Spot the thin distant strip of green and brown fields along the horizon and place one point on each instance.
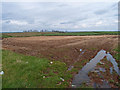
(29, 34)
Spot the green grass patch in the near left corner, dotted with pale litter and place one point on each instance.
(22, 71)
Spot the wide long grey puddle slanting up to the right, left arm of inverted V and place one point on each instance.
(82, 76)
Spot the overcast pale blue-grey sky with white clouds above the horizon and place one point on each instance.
(72, 16)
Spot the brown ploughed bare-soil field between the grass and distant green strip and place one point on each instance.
(63, 48)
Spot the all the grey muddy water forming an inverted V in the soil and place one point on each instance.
(82, 76)
